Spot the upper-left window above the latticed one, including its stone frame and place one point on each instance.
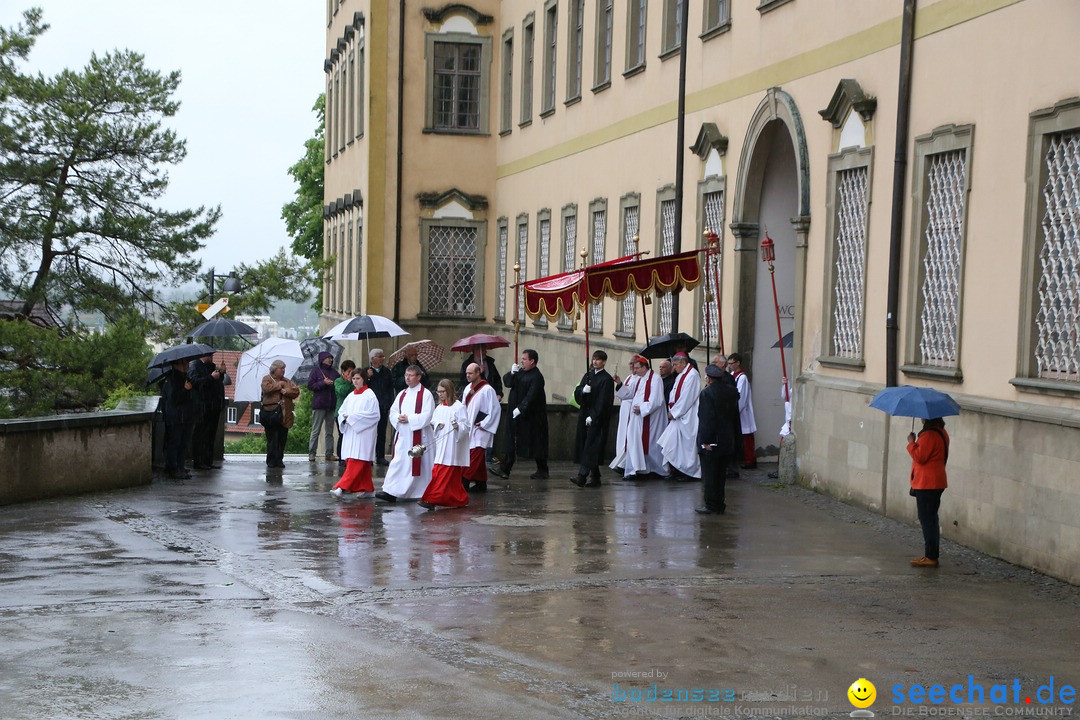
(457, 93)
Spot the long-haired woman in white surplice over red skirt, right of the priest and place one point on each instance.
(450, 450)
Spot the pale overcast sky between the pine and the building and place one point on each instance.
(250, 75)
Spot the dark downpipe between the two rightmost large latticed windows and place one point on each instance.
(899, 173)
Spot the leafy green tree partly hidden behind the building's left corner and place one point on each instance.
(304, 214)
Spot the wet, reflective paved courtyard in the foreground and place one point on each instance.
(248, 593)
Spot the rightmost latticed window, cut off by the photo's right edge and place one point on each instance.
(1058, 304)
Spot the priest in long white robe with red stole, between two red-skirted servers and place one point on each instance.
(411, 417)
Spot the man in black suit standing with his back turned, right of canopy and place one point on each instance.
(718, 419)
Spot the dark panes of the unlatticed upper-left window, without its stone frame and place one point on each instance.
(457, 93)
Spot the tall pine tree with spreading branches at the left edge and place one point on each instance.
(84, 160)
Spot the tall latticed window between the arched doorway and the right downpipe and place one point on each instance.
(849, 189)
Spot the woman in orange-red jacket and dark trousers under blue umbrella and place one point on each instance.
(929, 453)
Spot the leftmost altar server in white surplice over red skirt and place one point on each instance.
(358, 420)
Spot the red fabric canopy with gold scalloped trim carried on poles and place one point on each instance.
(565, 292)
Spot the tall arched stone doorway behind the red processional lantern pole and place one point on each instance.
(772, 197)
